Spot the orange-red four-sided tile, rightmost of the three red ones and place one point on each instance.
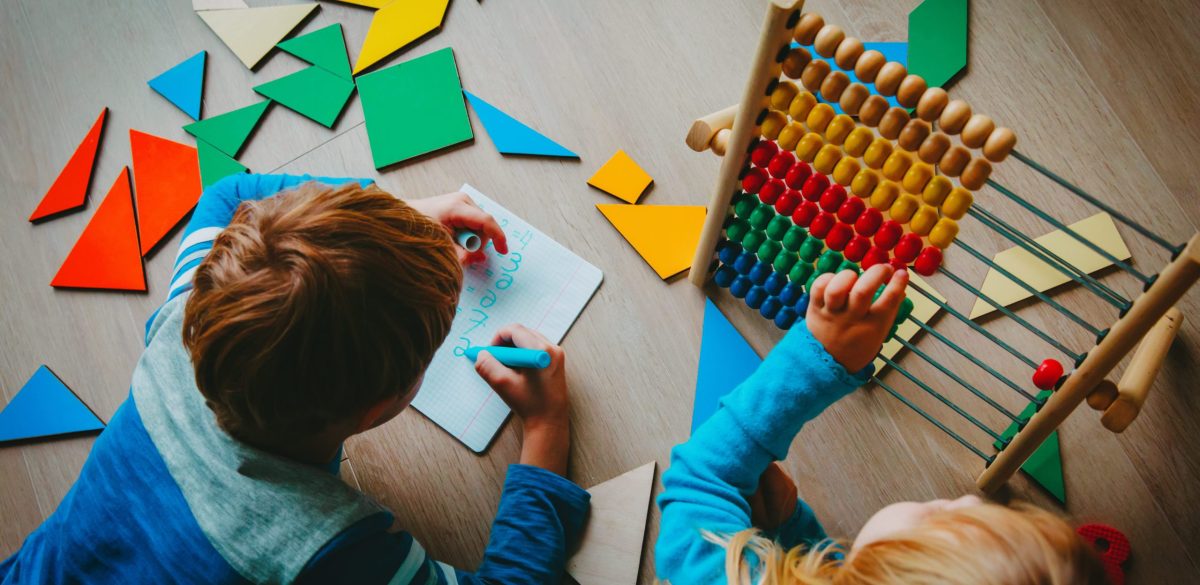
(167, 180)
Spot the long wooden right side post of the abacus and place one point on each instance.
(1175, 280)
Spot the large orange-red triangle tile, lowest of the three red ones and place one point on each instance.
(107, 255)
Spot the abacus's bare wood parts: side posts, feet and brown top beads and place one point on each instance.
(731, 134)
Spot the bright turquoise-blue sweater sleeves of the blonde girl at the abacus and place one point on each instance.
(712, 475)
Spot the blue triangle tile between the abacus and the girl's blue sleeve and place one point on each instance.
(725, 361)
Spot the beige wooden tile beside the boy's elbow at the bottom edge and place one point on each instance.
(611, 550)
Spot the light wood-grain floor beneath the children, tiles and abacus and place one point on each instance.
(1102, 92)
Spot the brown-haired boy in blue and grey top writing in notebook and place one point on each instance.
(293, 323)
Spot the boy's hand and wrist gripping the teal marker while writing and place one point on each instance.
(537, 396)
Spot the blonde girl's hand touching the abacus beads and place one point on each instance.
(844, 318)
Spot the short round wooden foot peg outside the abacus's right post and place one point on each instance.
(1141, 375)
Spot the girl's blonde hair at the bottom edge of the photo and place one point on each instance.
(985, 545)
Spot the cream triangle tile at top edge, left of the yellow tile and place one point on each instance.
(253, 33)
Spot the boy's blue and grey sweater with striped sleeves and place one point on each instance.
(167, 497)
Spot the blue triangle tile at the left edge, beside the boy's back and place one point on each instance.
(45, 407)
